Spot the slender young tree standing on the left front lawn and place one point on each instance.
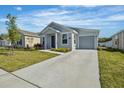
(13, 33)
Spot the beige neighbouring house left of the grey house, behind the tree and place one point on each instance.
(28, 39)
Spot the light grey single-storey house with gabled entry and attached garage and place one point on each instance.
(59, 36)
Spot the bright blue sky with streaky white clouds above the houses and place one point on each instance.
(108, 19)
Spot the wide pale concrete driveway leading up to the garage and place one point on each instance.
(77, 69)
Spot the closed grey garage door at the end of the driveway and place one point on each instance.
(86, 42)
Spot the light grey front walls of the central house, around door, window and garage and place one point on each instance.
(71, 44)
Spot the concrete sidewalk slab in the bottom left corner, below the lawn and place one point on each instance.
(8, 80)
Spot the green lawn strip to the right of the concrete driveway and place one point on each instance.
(111, 69)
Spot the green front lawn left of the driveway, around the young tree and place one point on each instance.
(22, 59)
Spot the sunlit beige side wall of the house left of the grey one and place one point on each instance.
(31, 41)
